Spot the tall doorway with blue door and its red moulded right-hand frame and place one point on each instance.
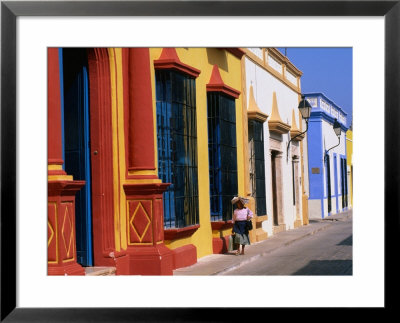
(87, 149)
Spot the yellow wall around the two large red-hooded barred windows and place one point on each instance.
(229, 68)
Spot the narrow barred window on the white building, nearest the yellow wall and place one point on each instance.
(257, 165)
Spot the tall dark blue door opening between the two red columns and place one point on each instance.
(77, 144)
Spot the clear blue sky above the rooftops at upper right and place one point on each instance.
(328, 70)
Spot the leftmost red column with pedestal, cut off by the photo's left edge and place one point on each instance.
(61, 239)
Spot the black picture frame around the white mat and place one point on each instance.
(10, 10)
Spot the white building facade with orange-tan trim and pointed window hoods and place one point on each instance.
(277, 171)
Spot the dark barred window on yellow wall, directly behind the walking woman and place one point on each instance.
(222, 150)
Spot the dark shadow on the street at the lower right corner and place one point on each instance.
(327, 268)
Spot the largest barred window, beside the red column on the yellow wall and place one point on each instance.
(177, 147)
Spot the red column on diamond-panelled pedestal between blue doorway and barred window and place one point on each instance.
(146, 250)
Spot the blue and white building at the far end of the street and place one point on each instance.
(327, 158)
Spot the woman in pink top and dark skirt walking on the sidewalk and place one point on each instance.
(240, 217)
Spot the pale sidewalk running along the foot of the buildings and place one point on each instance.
(220, 263)
